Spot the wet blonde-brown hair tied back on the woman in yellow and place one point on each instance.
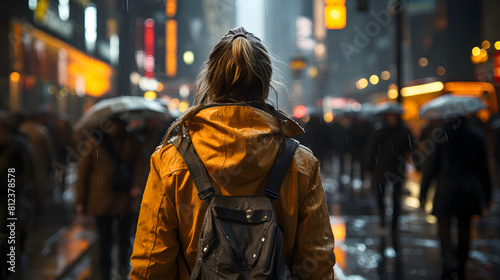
(238, 70)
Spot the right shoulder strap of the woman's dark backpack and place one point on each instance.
(280, 167)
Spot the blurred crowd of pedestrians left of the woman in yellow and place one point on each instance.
(42, 148)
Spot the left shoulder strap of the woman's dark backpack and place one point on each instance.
(194, 165)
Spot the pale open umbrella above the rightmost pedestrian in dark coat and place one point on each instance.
(450, 106)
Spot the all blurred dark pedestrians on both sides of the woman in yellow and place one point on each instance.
(375, 149)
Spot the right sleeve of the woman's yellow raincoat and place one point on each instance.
(313, 256)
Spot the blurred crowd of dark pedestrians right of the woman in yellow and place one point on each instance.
(450, 155)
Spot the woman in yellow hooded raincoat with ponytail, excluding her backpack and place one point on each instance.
(237, 136)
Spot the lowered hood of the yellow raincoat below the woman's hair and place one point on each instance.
(239, 141)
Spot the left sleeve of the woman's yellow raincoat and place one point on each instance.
(156, 241)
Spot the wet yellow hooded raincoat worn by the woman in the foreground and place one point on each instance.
(237, 145)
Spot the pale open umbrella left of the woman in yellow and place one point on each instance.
(124, 107)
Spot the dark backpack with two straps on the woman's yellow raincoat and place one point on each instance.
(240, 237)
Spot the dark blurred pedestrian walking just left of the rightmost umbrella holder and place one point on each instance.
(389, 150)
